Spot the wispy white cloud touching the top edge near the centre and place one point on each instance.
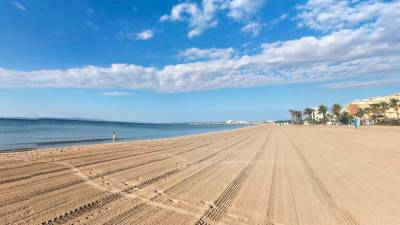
(204, 16)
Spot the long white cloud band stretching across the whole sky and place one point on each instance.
(369, 49)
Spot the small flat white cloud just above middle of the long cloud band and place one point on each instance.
(206, 54)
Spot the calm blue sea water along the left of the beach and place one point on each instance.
(43, 133)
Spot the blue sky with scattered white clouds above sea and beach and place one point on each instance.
(204, 60)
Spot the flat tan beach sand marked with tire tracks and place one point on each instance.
(258, 175)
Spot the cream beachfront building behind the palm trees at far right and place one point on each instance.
(366, 104)
